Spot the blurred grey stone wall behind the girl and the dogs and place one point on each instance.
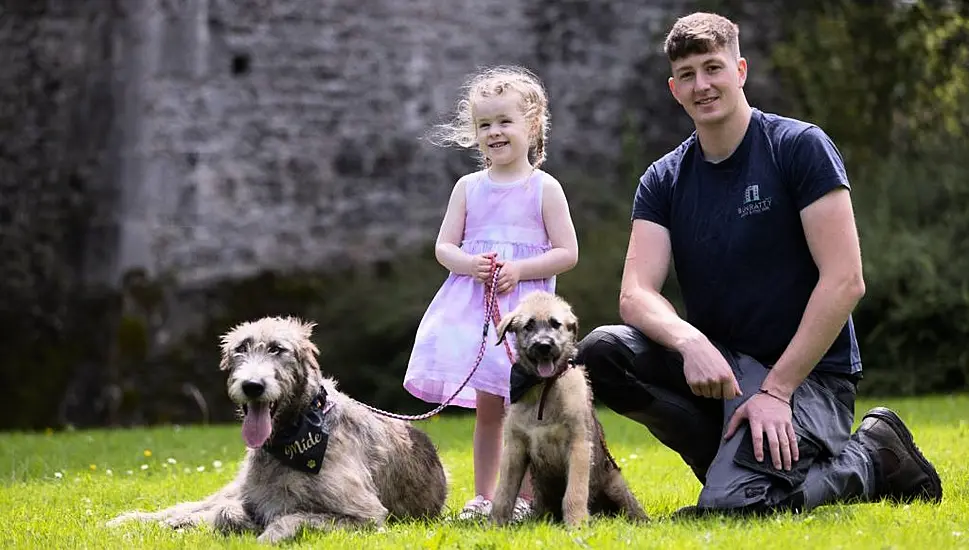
(154, 151)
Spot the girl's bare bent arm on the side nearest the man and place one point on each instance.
(561, 234)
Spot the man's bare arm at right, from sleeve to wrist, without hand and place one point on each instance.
(829, 226)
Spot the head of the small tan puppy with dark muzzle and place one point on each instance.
(545, 330)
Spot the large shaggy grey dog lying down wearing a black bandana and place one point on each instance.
(315, 457)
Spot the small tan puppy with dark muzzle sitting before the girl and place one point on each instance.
(551, 426)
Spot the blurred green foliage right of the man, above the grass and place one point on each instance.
(889, 82)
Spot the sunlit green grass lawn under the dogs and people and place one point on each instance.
(58, 489)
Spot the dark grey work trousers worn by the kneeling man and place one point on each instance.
(644, 381)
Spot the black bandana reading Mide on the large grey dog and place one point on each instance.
(302, 445)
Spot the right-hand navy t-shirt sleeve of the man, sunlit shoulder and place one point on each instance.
(816, 167)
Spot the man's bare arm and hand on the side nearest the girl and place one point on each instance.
(643, 306)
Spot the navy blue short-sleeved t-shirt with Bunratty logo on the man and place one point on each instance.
(738, 245)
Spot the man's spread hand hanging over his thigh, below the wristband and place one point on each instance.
(770, 416)
